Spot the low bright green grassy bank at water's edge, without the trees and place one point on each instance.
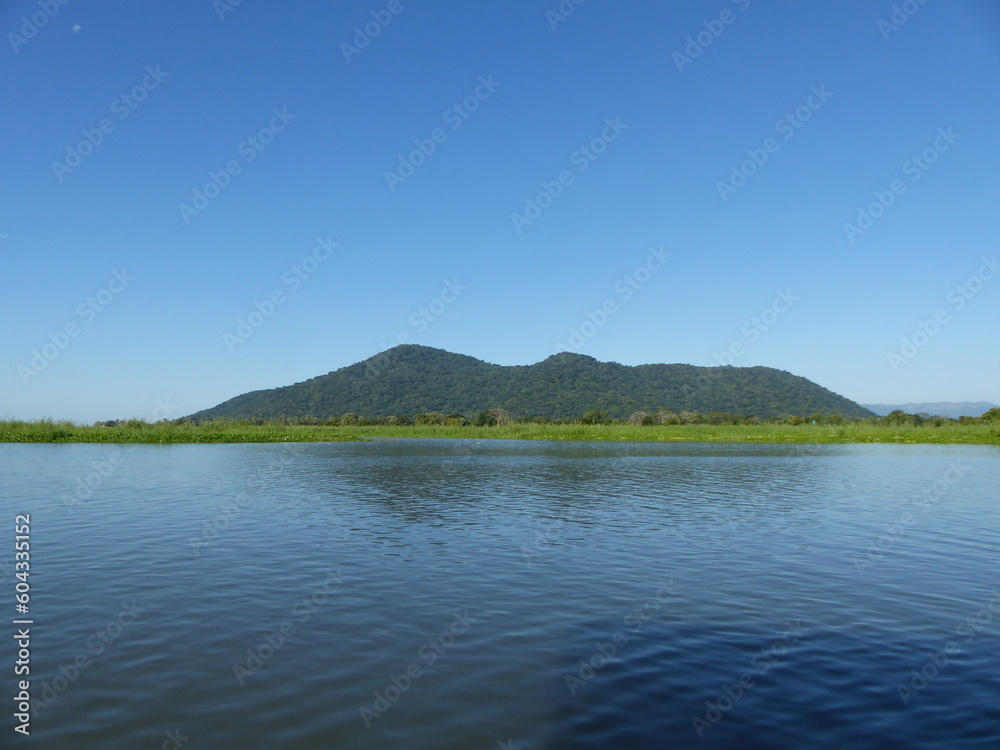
(237, 432)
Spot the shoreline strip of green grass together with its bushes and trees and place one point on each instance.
(896, 428)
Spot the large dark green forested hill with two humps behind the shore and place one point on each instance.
(413, 379)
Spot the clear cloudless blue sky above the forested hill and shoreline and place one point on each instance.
(201, 199)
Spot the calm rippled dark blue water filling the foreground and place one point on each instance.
(460, 595)
